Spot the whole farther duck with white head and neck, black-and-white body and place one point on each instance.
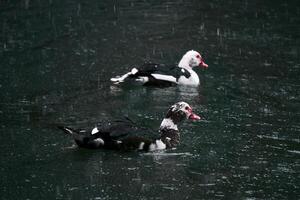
(162, 75)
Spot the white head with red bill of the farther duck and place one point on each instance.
(192, 59)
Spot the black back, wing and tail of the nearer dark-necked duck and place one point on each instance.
(118, 135)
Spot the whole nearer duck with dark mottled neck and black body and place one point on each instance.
(120, 135)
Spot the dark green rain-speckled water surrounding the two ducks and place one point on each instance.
(56, 59)
